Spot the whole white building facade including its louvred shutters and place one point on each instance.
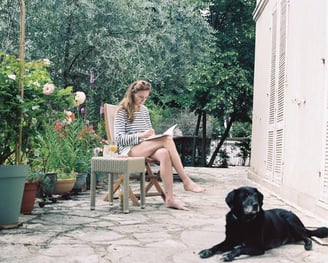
(290, 112)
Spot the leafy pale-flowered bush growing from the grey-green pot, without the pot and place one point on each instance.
(40, 102)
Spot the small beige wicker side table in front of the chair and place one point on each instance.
(115, 166)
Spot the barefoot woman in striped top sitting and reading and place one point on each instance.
(132, 126)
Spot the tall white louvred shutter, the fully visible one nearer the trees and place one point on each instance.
(275, 134)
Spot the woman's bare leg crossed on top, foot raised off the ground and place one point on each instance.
(148, 148)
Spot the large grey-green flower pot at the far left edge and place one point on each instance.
(12, 180)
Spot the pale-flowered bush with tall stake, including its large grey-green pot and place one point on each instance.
(27, 96)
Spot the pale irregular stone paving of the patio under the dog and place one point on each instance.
(67, 231)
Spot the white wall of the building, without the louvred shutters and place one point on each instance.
(305, 100)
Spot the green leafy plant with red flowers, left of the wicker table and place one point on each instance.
(65, 147)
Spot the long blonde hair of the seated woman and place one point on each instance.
(128, 103)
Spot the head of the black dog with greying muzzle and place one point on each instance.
(245, 203)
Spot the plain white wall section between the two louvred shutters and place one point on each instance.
(304, 121)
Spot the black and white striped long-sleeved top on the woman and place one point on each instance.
(126, 132)
